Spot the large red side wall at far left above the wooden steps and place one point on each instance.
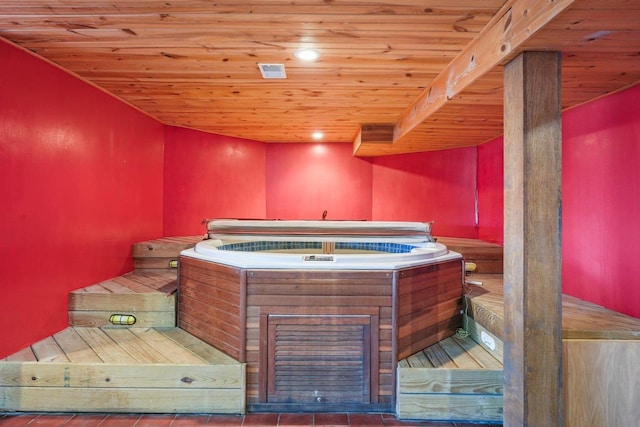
(80, 181)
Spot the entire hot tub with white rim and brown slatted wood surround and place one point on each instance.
(328, 338)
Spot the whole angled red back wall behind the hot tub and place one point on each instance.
(208, 176)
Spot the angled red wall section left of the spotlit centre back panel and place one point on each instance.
(210, 176)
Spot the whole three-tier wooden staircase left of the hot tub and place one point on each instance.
(142, 363)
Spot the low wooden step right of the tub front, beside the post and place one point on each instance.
(456, 380)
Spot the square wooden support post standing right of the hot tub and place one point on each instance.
(532, 256)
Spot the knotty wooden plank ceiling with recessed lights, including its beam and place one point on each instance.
(394, 76)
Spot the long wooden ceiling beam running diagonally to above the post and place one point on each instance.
(516, 23)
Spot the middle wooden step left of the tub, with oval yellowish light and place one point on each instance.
(150, 297)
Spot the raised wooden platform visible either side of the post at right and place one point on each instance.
(600, 351)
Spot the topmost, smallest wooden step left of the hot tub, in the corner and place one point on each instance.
(161, 254)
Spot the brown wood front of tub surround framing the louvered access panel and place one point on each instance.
(358, 293)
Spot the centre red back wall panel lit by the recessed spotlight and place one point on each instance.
(304, 180)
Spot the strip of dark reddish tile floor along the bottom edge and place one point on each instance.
(152, 420)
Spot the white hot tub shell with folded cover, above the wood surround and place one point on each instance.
(360, 245)
